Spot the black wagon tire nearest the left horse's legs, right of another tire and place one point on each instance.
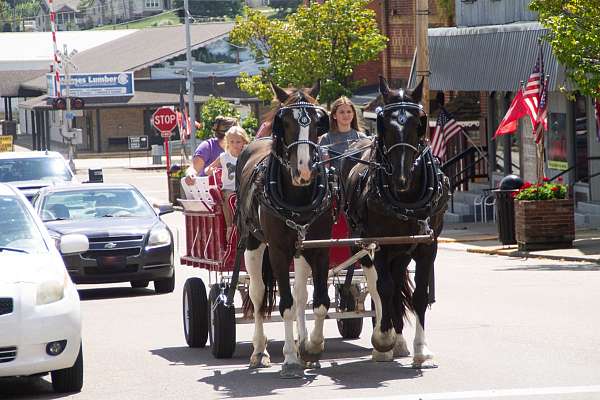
(222, 324)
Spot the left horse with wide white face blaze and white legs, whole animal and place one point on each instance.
(284, 198)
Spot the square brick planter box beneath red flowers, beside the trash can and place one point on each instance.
(544, 224)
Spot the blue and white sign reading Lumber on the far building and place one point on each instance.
(94, 85)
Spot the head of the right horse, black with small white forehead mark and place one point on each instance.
(401, 127)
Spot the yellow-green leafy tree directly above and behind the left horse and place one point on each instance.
(322, 41)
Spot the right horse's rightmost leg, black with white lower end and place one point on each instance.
(424, 267)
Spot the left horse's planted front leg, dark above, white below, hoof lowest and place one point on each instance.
(280, 260)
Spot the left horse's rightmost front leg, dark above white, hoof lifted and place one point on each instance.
(312, 348)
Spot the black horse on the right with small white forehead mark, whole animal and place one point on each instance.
(397, 190)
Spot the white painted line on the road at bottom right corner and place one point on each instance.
(492, 393)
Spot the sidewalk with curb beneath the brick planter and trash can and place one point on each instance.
(483, 238)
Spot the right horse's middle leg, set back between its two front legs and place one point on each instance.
(402, 296)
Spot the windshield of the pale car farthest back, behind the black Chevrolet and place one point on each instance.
(34, 169)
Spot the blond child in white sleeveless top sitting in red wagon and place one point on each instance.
(236, 139)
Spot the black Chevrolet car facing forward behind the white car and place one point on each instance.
(128, 240)
